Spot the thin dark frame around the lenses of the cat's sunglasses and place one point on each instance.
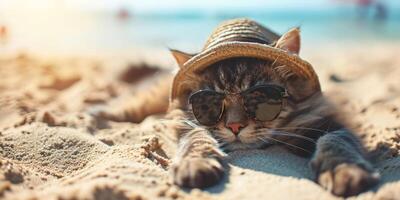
(283, 92)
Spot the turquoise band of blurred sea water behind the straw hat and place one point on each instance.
(190, 29)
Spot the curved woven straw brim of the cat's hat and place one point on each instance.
(228, 50)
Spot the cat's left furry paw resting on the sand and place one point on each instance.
(197, 172)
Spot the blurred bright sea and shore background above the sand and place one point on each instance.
(109, 26)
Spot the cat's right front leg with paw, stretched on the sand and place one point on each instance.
(340, 166)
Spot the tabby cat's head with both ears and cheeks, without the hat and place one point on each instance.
(235, 128)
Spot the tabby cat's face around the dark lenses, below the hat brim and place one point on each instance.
(235, 128)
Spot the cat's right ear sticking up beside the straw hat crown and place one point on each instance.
(290, 41)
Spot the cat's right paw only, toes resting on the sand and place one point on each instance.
(347, 180)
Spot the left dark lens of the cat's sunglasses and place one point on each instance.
(207, 106)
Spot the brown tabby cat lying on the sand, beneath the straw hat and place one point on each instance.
(306, 125)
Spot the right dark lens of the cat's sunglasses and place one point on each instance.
(264, 103)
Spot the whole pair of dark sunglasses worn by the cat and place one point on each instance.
(262, 103)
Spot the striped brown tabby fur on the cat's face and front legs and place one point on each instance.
(307, 126)
